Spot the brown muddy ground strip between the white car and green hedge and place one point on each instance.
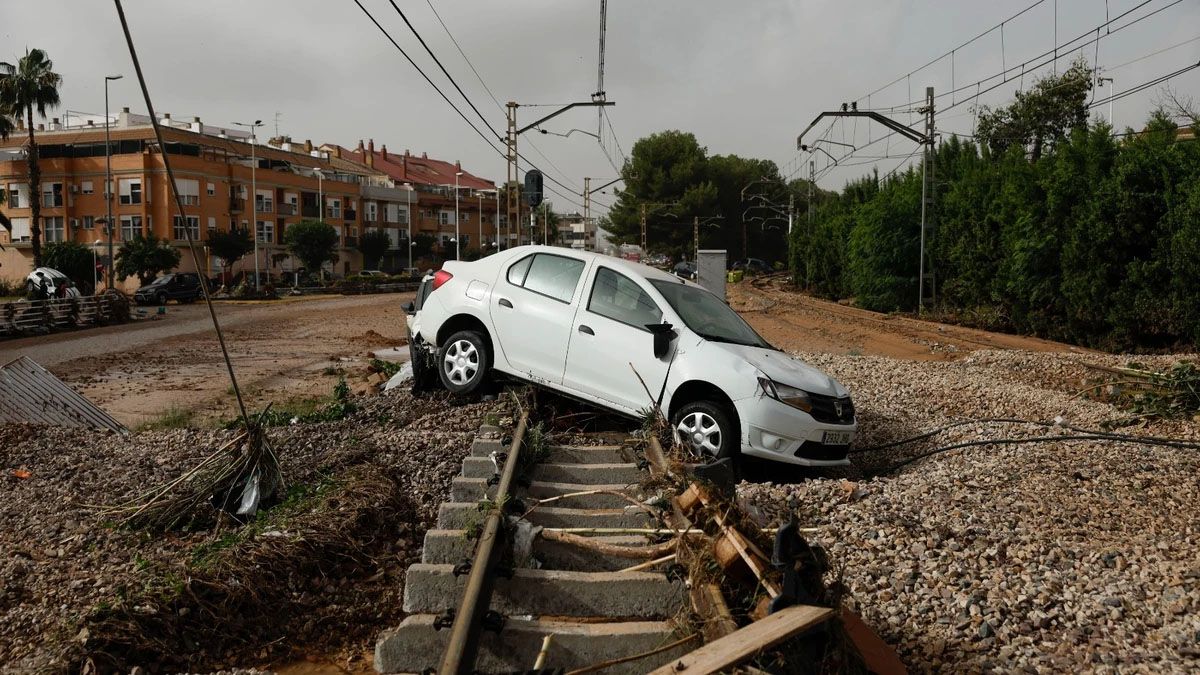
(802, 324)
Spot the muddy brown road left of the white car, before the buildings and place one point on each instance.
(283, 351)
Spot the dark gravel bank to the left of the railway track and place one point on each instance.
(62, 561)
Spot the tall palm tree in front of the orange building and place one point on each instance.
(32, 86)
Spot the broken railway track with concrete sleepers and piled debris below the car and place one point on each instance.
(572, 559)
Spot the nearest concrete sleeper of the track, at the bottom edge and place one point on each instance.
(415, 646)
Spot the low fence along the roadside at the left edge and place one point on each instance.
(39, 318)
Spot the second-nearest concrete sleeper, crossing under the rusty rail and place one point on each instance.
(431, 589)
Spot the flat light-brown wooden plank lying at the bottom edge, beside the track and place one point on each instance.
(748, 642)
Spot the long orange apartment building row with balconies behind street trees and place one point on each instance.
(214, 171)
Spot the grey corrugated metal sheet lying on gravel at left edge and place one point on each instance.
(34, 396)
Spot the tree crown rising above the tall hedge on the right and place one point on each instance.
(1041, 116)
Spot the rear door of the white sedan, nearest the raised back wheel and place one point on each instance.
(532, 308)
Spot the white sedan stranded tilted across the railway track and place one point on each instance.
(627, 337)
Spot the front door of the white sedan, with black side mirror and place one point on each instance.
(610, 343)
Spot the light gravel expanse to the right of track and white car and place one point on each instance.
(1081, 557)
